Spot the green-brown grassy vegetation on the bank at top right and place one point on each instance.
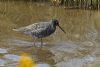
(85, 4)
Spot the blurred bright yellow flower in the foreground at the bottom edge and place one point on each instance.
(26, 61)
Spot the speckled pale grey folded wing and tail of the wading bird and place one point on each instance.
(33, 27)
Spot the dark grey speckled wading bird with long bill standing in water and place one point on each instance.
(40, 30)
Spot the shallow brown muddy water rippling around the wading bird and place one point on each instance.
(79, 47)
